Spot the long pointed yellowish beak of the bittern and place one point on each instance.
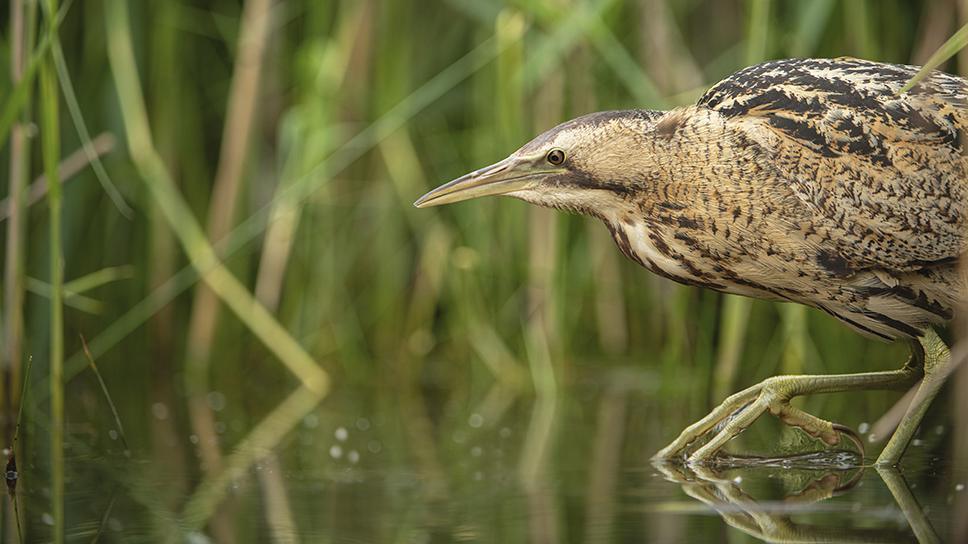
(500, 178)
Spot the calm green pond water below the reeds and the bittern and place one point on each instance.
(378, 464)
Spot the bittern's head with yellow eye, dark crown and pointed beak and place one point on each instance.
(581, 165)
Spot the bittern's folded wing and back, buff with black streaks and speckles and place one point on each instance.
(882, 173)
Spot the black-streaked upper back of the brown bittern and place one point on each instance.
(847, 106)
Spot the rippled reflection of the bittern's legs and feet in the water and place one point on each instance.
(808, 481)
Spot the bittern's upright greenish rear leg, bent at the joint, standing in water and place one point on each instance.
(937, 367)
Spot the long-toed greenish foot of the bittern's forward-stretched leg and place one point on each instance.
(740, 410)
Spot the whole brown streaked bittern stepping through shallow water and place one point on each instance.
(810, 181)
